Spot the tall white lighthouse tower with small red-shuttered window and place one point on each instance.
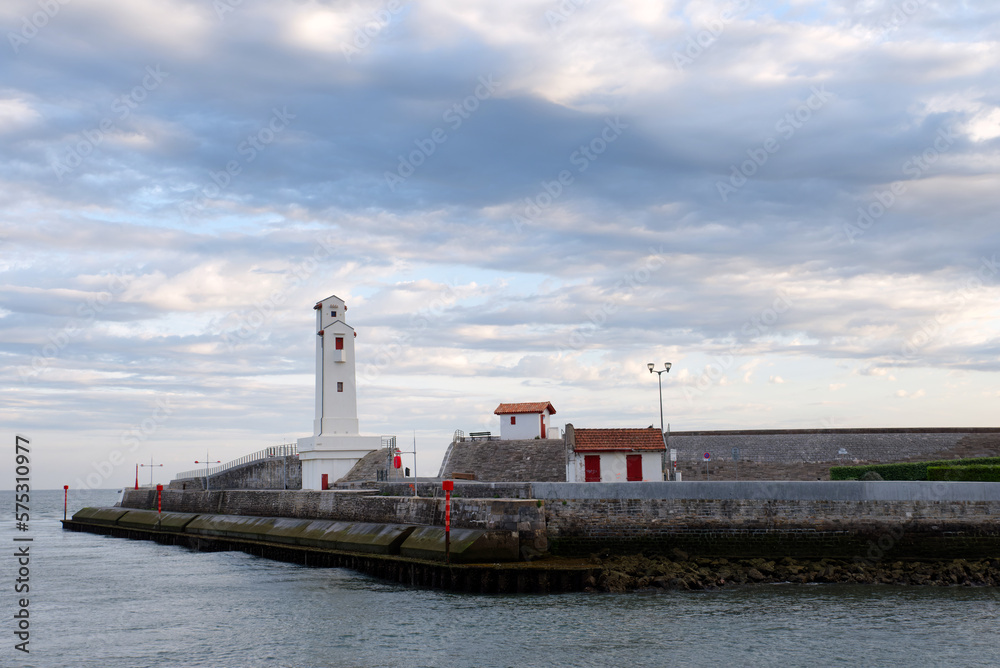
(335, 446)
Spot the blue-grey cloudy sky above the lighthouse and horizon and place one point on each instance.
(793, 202)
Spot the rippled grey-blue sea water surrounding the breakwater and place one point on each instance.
(107, 602)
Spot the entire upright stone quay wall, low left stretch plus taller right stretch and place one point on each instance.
(848, 520)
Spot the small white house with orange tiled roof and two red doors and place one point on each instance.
(614, 455)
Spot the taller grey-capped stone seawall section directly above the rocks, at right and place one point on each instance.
(853, 520)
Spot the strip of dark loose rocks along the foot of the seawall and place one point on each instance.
(679, 571)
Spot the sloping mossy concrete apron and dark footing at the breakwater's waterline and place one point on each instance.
(405, 554)
